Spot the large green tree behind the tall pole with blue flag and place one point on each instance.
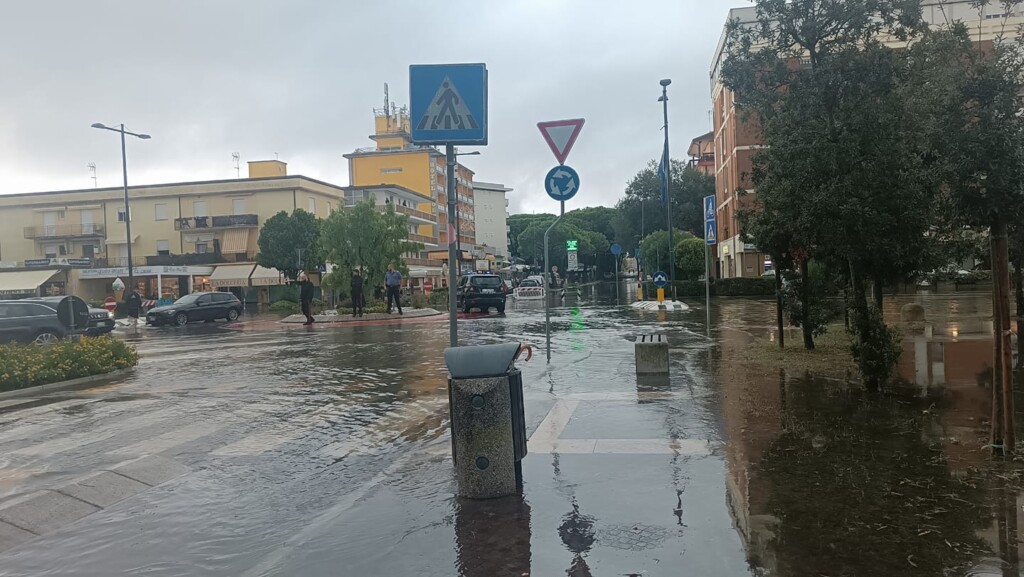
(641, 212)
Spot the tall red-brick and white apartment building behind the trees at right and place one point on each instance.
(737, 140)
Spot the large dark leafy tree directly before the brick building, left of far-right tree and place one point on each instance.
(843, 170)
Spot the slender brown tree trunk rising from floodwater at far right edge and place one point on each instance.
(1001, 279)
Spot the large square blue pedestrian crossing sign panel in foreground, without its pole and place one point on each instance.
(448, 104)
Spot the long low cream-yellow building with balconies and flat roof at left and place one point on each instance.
(186, 236)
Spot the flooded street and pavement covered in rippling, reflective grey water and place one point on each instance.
(326, 451)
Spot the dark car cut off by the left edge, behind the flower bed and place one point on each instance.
(38, 321)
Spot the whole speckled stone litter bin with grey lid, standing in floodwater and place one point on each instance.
(489, 426)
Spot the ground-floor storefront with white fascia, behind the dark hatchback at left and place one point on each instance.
(153, 282)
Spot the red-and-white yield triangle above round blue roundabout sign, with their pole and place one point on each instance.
(563, 184)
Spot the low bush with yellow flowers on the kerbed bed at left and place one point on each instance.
(29, 365)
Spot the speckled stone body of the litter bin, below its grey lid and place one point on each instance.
(482, 438)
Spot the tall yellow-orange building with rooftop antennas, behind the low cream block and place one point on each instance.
(395, 160)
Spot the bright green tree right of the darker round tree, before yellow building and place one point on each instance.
(366, 239)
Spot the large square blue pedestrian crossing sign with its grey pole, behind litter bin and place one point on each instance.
(449, 106)
